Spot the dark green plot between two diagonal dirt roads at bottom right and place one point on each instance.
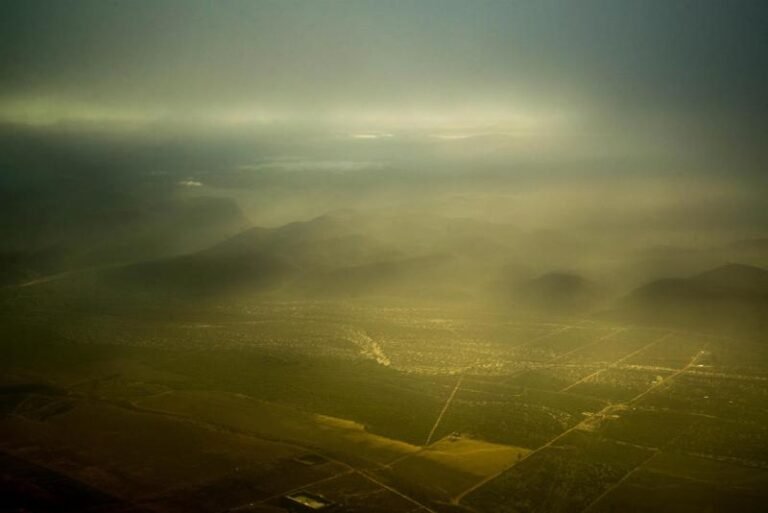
(563, 478)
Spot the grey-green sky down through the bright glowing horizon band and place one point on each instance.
(583, 67)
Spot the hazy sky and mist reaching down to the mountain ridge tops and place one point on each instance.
(604, 116)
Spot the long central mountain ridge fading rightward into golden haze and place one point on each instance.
(335, 255)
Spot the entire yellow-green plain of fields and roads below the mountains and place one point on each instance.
(367, 407)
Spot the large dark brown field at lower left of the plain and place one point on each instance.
(107, 447)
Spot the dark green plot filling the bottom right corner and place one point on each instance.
(671, 483)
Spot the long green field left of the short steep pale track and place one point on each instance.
(391, 403)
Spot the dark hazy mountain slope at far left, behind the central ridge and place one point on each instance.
(125, 231)
